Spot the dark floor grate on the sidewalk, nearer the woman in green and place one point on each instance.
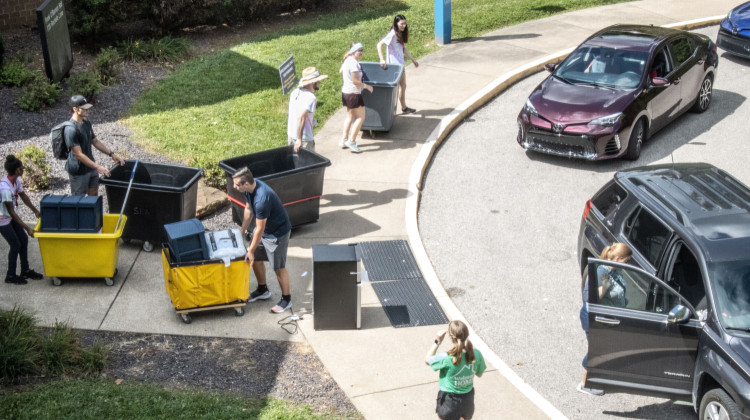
(409, 303)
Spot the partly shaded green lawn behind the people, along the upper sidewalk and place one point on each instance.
(230, 103)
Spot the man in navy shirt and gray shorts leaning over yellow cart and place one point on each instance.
(272, 228)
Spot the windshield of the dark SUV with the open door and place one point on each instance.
(731, 288)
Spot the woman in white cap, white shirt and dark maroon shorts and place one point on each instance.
(351, 96)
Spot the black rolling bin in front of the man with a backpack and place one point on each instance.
(160, 194)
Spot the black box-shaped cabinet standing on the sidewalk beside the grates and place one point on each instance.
(336, 287)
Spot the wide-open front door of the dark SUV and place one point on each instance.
(633, 348)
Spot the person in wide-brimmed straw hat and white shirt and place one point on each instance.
(302, 104)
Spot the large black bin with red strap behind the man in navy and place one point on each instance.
(297, 178)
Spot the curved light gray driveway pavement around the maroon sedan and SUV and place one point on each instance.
(501, 226)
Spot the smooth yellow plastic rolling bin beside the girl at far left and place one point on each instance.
(73, 254)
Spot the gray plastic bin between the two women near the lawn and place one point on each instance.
(380, 105)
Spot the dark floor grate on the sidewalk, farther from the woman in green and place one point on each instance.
(389, 260)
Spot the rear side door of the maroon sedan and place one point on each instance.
(688, 74)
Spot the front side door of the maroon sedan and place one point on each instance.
(663, 101)
